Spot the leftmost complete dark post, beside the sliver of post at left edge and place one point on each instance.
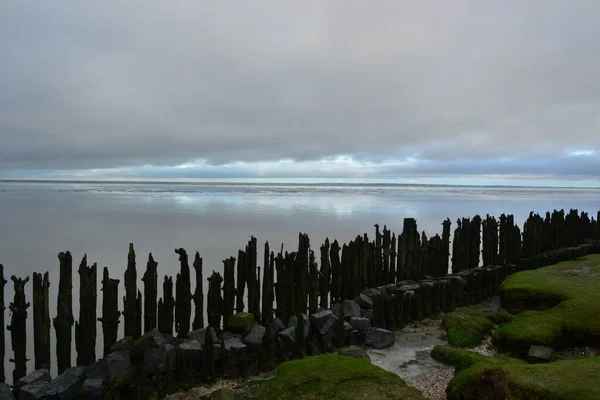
(17, 328)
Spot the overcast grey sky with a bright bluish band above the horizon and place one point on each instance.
(402, 91)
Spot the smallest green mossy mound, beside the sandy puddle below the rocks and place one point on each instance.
(468, 327)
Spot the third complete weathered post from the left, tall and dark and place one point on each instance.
(63, 322)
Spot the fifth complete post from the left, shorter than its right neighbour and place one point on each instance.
(110, 310)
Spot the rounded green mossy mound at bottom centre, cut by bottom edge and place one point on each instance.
(334, 377)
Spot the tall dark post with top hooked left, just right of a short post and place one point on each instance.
(183, 301)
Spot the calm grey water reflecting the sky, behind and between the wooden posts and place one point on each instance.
(38, 220)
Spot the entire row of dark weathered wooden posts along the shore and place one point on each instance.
(292, 283)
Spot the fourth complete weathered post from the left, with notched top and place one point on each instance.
(85, 328)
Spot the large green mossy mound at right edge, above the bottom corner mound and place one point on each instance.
(572, 287)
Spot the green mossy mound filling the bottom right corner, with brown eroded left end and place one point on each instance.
(479, 376)
